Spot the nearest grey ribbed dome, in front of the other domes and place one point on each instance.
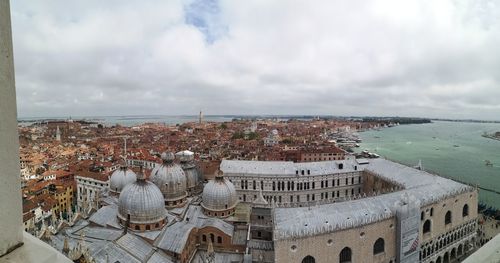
(142, 203)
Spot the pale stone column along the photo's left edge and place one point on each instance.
(11, 230)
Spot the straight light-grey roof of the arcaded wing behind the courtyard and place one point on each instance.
(278, 168)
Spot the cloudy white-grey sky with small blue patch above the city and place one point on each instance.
(404, 58)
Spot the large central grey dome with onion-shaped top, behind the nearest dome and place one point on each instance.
(171, 180)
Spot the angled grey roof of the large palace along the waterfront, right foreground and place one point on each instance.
(425, 187)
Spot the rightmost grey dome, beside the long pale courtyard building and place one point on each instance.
(219, 197)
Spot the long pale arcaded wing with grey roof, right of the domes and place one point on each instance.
(296, 183)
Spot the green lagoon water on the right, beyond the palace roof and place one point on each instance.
(452, 149)
